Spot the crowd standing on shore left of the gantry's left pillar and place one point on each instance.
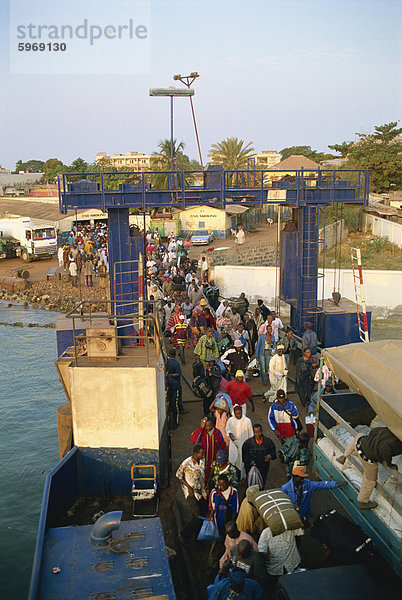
(85, 253)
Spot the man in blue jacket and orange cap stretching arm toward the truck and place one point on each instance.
(299, 490)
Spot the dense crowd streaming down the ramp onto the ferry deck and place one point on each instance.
(228, 346)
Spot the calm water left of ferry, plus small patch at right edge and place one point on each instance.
(30, 394)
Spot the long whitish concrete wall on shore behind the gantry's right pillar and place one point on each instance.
(382, 288)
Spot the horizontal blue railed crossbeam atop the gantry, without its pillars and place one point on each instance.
(226, 187)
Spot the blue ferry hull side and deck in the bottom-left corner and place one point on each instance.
(88, 571)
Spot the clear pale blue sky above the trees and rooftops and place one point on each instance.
(274, 73)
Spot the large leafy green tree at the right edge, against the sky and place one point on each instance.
(381, 152)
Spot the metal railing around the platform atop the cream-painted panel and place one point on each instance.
(144, 330)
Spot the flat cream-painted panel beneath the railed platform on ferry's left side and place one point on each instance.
(115, 407)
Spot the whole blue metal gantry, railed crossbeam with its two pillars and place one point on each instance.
(306, 192)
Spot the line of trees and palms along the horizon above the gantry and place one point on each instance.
(380, 151)
